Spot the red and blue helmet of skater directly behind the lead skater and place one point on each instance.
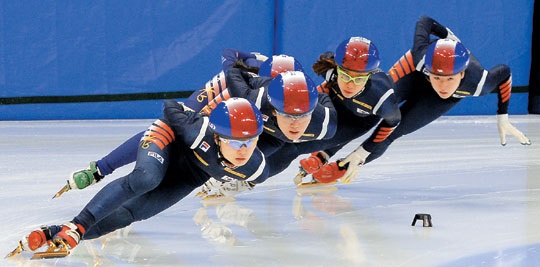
(293, 93)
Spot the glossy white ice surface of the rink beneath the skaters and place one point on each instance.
(484, 200)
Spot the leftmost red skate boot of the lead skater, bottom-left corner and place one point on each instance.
(36, 239)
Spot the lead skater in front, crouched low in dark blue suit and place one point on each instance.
(176, 155)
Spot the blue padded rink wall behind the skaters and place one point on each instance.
(74, 48)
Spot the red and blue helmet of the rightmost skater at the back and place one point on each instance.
(446, 57)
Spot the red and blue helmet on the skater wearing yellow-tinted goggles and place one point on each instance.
(357, 54)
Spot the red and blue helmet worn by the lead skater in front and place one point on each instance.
(236, 118)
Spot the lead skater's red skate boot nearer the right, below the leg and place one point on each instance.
(63, 242)
